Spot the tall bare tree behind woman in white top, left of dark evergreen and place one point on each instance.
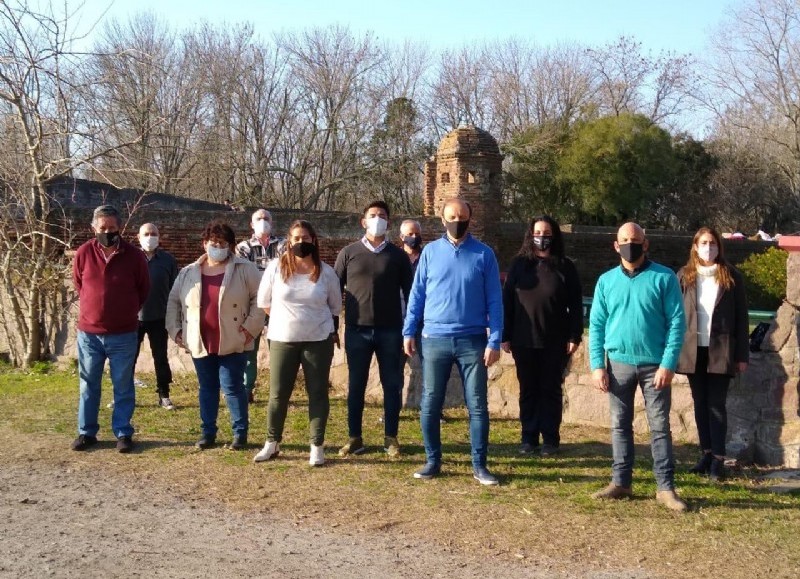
(337, 102)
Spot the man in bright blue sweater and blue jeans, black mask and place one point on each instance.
(457, 295)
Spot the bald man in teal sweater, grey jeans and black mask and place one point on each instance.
(635, 336)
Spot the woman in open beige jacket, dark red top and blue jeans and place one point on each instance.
(212, 313)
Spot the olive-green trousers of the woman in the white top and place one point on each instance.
(285, 360)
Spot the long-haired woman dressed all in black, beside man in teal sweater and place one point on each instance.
(543, 326)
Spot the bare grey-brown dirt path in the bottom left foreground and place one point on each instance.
(70, 517)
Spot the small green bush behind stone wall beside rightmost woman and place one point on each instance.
(765, 279)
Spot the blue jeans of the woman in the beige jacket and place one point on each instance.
(226, 373)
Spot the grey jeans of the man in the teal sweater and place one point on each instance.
(623, 379)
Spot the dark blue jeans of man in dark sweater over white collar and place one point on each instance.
(360, 342)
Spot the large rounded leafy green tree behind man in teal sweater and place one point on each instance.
(616, 167)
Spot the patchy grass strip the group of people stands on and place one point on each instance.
(541, 513)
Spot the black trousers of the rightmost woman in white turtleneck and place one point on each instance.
(709, 392)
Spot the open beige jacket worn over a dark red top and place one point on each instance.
(237, 307)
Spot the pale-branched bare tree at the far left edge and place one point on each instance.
(44, 131)
